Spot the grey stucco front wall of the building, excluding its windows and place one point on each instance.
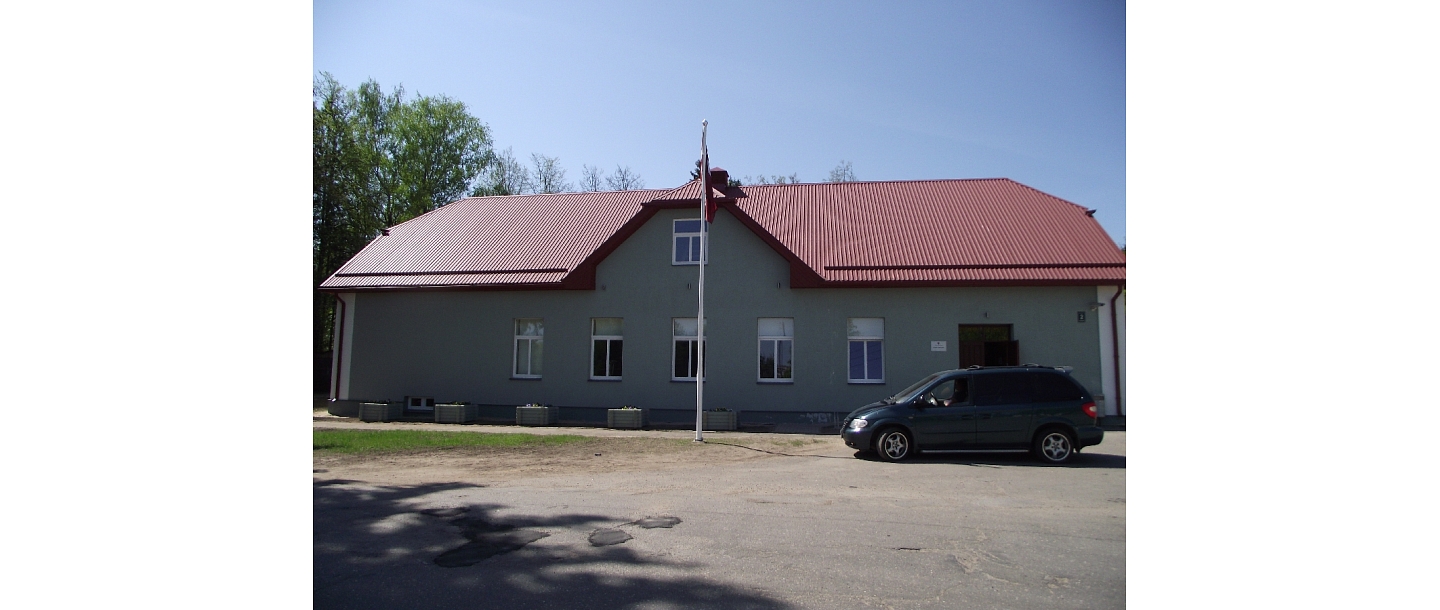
(459, 346)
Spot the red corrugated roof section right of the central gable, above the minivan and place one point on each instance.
(990, 229)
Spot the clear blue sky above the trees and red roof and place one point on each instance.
(1032, 91)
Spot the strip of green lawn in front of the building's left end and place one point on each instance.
(400, 441)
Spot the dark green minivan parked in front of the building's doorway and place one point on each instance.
(981, 409)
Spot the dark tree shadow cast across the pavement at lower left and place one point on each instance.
(441, 546)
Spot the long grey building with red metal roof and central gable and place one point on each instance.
(820, 299)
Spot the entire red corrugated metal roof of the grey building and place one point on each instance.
(925, 232)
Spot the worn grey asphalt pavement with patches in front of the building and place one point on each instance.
(819, 532)
